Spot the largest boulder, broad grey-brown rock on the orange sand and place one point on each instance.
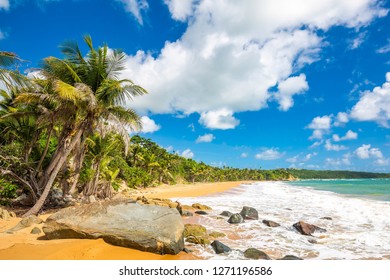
(148, 228)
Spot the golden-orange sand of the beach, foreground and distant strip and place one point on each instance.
(22, 245)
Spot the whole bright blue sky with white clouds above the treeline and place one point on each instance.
(250, 84)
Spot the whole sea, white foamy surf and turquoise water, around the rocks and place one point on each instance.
(359, 227)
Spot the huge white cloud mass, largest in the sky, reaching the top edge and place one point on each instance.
(232, 54)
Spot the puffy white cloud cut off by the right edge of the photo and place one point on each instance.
(374, 105)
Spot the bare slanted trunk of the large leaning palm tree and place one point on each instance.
(59, 158)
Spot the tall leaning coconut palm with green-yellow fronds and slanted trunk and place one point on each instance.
(83, 92)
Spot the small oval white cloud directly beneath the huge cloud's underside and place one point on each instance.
(219, 119)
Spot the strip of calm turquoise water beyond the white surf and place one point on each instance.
(378, 189)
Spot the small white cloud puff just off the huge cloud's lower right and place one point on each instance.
(288, 88)
